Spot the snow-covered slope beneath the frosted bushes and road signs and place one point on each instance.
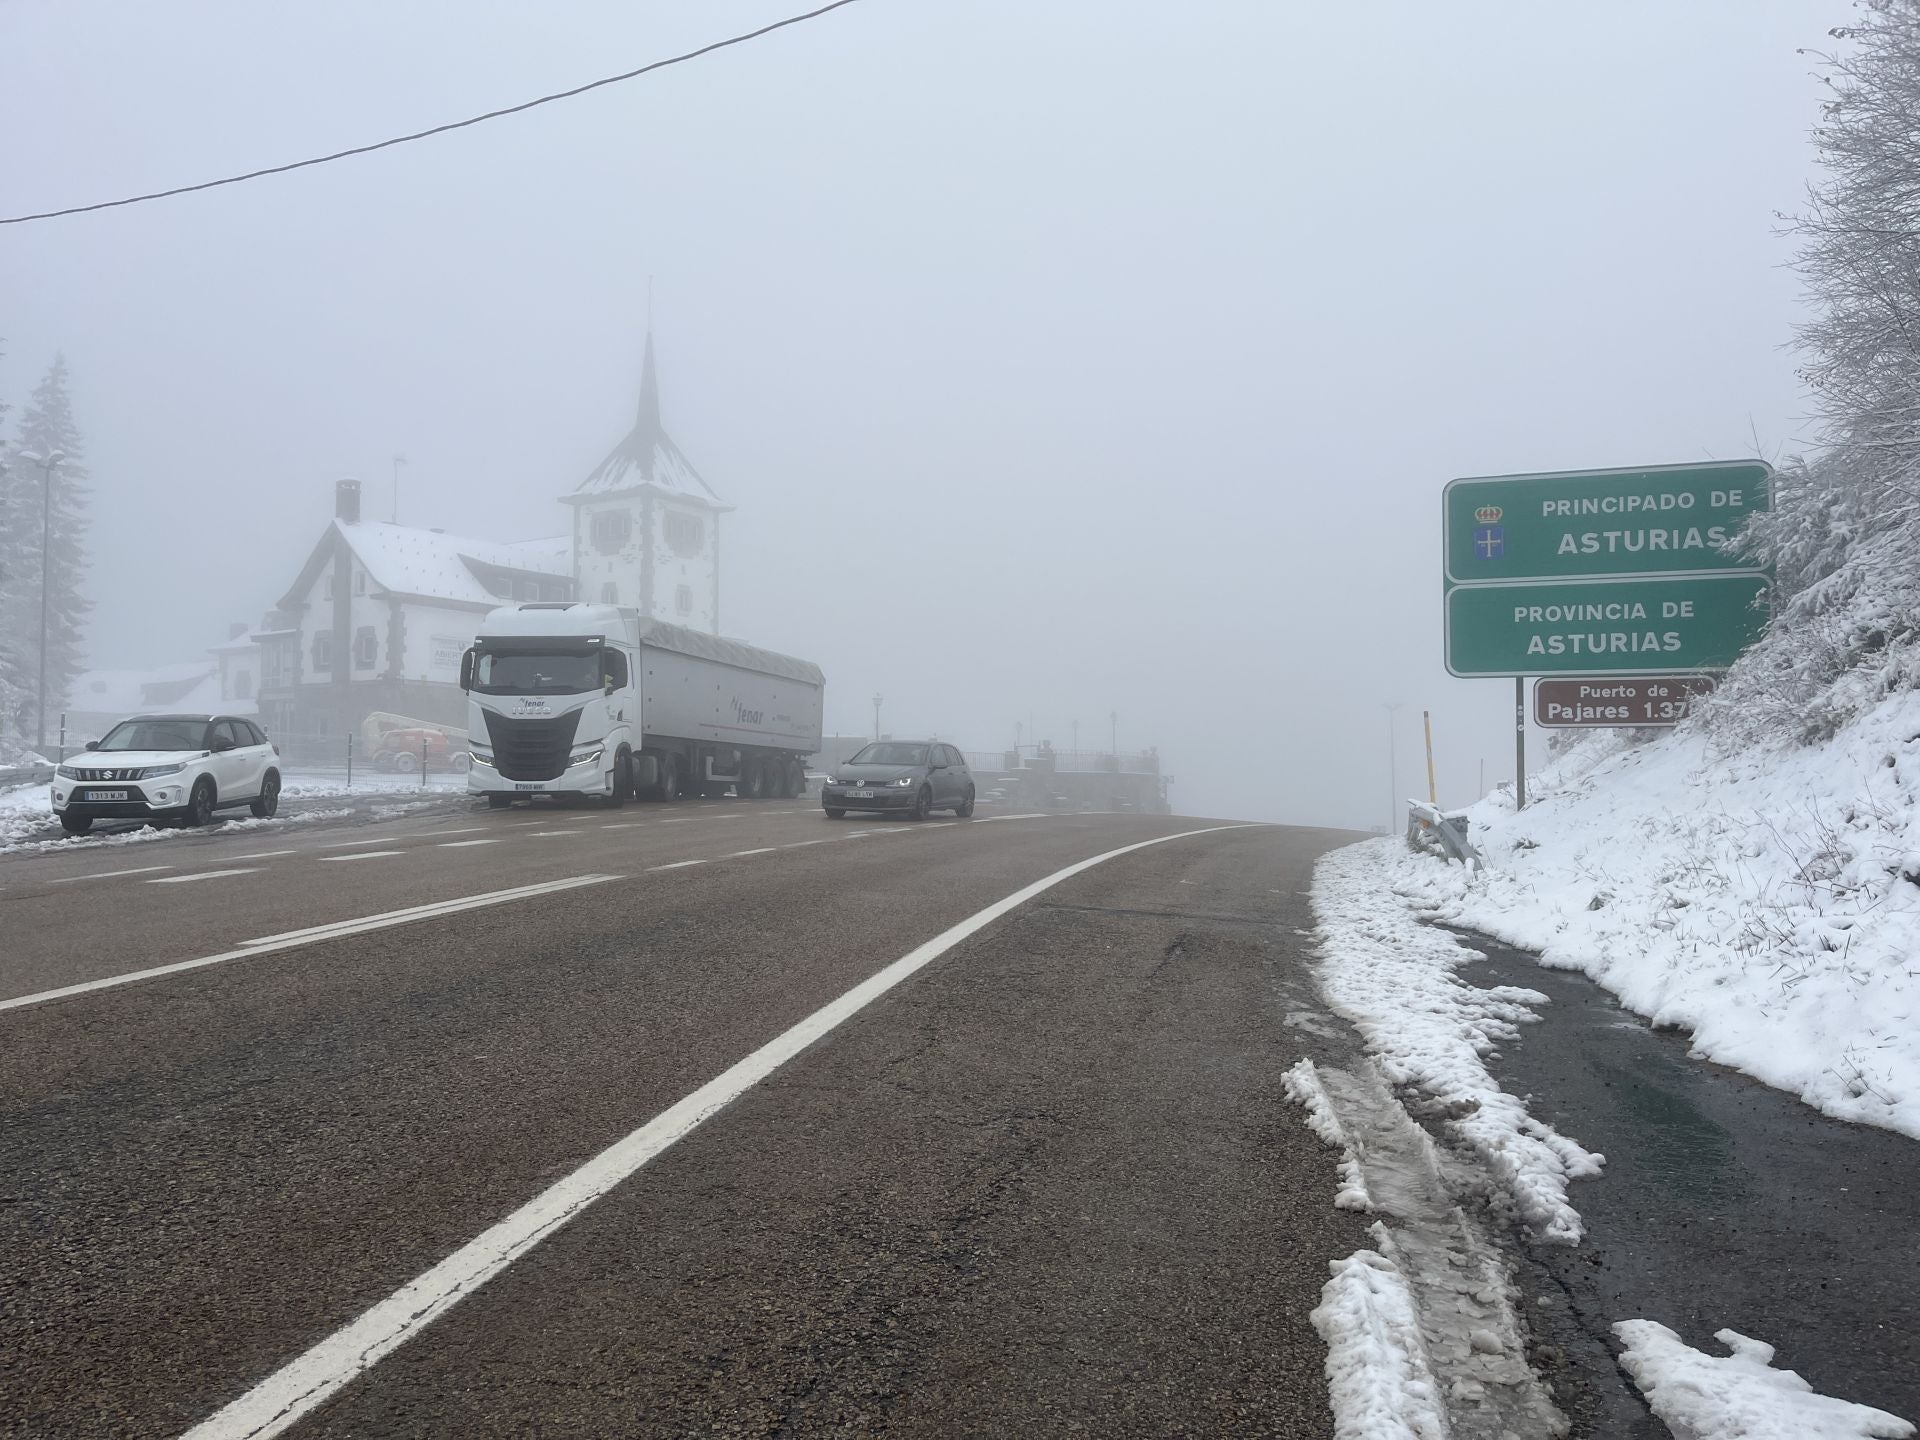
(1765, 901)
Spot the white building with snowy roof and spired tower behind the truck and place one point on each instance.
(381, 613)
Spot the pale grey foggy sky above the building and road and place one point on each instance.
(1059, 358)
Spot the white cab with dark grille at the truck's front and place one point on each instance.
(554, 706)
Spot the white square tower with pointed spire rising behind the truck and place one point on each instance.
(648, 525)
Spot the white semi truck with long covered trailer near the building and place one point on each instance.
(600, 700)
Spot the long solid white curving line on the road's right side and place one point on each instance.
(306, 1381)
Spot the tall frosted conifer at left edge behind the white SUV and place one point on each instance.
(45, 427)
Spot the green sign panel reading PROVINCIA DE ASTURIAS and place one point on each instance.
(1621, 627)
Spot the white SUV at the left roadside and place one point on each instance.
(176, 767)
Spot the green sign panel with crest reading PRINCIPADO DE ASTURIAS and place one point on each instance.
(1668, 519)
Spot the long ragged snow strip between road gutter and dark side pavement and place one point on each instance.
(1395, 978)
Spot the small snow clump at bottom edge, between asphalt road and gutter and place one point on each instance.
(1378, 1378)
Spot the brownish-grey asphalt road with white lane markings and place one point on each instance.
(1045, 1186)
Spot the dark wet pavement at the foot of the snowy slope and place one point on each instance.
(1723, 1205)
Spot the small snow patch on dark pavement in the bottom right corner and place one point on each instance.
(1740, 1397)
